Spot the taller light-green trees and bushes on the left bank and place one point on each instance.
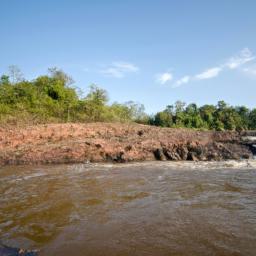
(52, 98)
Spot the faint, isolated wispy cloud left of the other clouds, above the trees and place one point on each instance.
(120, 69)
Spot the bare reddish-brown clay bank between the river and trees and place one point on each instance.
(103, 142)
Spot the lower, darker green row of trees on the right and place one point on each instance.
(210, 117)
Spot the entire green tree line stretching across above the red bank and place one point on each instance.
(54, 98)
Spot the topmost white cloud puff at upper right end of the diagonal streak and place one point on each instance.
(243, 57)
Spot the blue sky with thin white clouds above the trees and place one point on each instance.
(154, 52)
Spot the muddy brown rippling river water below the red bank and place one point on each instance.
(155, 208)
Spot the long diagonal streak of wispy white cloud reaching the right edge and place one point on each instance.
(235, 62)
